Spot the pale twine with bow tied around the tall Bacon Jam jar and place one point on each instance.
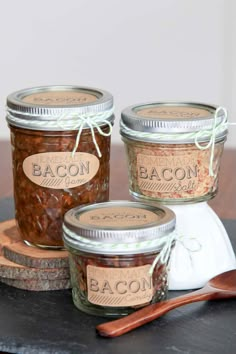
(73, 121)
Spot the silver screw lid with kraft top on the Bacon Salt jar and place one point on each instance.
(170, 119)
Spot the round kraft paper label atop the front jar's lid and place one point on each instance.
(119, 217)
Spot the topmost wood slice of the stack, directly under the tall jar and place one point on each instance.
(15, 250)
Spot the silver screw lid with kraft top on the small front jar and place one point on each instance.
(117, 227)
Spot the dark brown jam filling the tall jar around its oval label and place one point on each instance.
(39, 209)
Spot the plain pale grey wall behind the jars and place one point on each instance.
(137, 50)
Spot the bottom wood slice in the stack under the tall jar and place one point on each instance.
(38, 285)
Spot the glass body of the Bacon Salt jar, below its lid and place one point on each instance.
(172, 172)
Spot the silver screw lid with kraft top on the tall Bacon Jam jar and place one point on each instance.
(57, 107)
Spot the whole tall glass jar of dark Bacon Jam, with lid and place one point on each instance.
(60, 138)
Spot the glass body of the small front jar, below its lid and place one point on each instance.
(123, 290)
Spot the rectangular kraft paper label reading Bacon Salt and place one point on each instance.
(167, 174)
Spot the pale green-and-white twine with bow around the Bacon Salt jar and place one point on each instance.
(208, 134)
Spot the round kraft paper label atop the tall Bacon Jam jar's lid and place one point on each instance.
(60, 98)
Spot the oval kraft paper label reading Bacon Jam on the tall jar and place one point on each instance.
(60, 170)
